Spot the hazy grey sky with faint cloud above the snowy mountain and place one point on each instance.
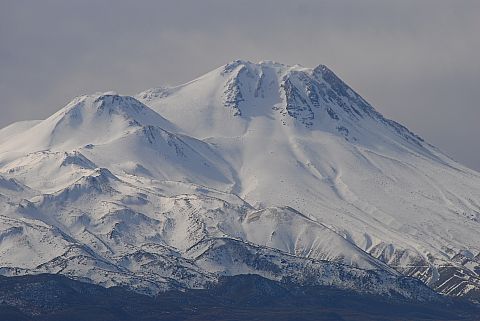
(417, 62)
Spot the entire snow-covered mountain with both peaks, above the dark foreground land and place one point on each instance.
(281, 171)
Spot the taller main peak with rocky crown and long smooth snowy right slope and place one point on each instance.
(302, 138)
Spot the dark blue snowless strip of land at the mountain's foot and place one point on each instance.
(239, 298)
